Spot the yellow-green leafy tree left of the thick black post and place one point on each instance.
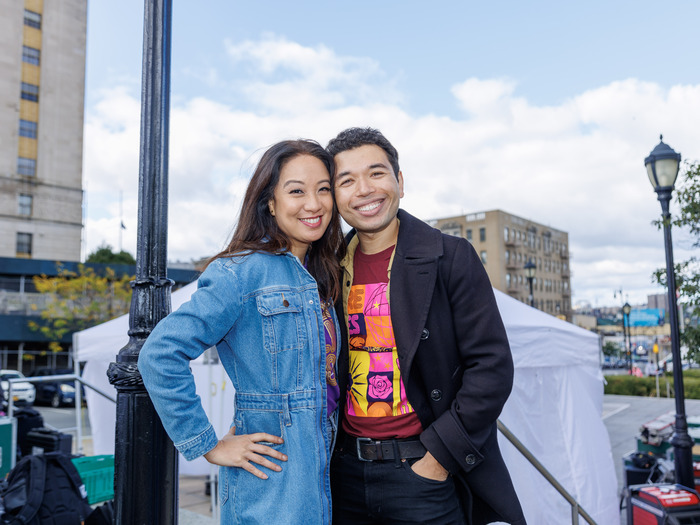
(79, 300)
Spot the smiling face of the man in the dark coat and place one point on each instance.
(367, 192)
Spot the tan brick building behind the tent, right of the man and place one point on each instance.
(505, 243)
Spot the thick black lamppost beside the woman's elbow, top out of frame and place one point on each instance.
(145, 468)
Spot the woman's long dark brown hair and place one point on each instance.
(257, 229)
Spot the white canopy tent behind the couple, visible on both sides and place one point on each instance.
(555, 408)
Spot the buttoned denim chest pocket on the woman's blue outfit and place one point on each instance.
(282, 320)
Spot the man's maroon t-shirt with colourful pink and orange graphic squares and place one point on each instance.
(377, 406)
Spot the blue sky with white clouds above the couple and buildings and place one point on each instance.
(543, 109)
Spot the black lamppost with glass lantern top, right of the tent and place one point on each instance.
(662, 167)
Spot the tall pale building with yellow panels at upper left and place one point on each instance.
(42, 88)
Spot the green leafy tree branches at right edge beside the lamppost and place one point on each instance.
(688, 272)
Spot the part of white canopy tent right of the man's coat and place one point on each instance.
(555, 410)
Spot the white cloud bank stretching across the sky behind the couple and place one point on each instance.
(577, 166)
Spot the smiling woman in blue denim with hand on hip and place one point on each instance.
(264, 302)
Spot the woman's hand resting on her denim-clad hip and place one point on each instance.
(245, 450)
